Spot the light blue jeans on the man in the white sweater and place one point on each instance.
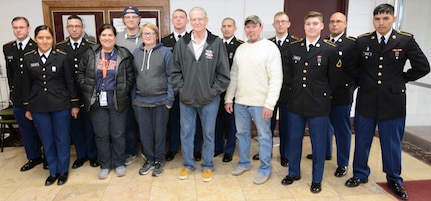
(243, 116)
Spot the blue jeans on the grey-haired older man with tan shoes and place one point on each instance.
(207, 115)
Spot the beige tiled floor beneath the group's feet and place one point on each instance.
(84, 185)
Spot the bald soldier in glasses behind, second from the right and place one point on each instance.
(342, 97)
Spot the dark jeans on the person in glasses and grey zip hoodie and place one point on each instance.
(152, 122)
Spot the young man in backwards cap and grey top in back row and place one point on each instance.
(130, 38)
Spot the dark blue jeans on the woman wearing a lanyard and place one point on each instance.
(110, 136)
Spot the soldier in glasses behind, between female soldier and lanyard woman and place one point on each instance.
(81, 129)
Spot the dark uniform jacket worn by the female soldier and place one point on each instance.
(48, 87)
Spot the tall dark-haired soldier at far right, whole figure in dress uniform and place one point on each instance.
(381, 100)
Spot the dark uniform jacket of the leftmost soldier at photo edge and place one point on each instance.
(14, 65)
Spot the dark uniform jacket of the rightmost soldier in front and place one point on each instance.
(381, 76)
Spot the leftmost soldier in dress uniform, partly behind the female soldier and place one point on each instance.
(14, 53)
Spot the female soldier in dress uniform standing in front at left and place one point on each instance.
(51, 100)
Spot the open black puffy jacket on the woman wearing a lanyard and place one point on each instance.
(125, 78)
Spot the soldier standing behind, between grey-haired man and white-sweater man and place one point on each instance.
(225, 126)
